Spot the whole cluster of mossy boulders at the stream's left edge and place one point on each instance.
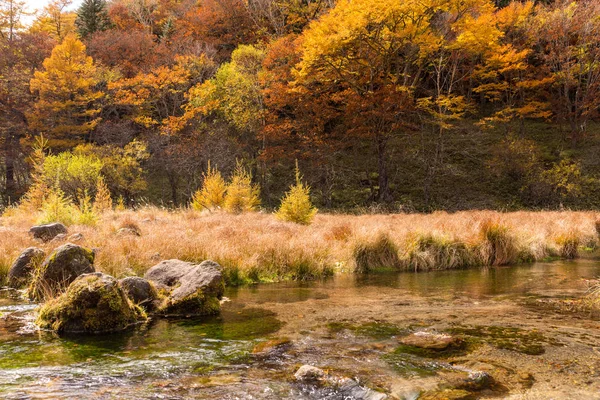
(78, 299)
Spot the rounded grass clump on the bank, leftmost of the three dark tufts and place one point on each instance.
(377, 255)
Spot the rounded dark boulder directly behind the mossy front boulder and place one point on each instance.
(59, 269)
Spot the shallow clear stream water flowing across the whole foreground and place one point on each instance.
(349, 326)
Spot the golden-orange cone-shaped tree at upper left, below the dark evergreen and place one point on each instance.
(66, 105)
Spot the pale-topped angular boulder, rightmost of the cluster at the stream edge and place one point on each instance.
(193, 290)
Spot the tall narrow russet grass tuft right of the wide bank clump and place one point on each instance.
(498, 246)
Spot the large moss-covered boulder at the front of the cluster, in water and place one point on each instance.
(93, 303)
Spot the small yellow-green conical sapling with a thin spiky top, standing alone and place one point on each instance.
(296, 206)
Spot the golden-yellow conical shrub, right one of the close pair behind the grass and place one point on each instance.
(241, 194)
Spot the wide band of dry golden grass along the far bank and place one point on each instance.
(258, 247)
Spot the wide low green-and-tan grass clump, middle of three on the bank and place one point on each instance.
(436, 252)
